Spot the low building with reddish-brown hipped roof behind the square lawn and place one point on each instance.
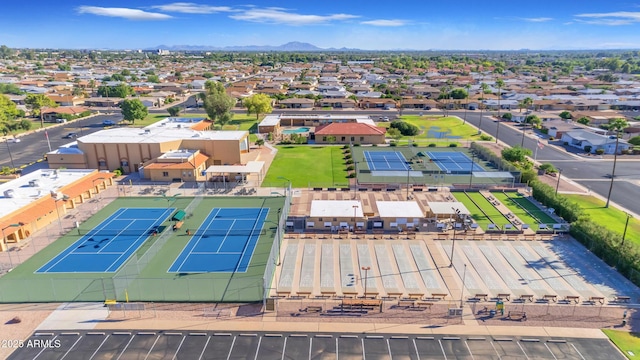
(345, 133)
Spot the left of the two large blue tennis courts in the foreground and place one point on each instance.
(105, 248)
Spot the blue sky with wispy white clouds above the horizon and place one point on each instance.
(374, 25)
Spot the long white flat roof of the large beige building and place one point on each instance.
(156, 135)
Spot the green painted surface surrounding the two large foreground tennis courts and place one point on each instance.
(144, 276)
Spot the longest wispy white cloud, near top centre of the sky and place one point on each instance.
(281, 16)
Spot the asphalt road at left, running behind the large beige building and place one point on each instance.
(33, 146)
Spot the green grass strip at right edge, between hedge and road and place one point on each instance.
(610, 218)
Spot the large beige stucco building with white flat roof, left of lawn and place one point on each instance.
(133, 148)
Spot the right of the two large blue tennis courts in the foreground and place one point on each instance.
(224, 242)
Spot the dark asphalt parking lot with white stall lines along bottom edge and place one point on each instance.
(208, 345)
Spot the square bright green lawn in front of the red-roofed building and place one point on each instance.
(318, 166)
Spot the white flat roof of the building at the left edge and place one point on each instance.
(46, 180)
